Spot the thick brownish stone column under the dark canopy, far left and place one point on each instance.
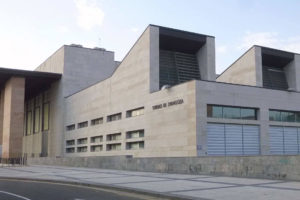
(13, 120)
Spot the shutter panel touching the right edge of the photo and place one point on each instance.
(290, 140)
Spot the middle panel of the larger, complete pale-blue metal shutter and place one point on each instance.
(234, 139)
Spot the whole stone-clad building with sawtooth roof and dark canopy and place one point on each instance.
(162, 100)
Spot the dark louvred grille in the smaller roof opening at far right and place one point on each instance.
(274, 78)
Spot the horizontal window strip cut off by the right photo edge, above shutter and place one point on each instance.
(284, 116)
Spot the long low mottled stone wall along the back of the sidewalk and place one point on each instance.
(272, 167)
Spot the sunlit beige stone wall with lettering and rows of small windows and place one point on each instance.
(128, 89)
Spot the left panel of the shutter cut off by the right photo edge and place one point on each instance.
(276, 139)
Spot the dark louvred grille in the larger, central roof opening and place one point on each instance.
(176, 67)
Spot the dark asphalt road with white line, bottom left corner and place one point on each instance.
(32, 190)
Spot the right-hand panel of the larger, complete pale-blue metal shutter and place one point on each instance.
(251, 140)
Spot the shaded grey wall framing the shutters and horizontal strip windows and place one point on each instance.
(244, 96)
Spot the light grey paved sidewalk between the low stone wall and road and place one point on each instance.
(176, 185)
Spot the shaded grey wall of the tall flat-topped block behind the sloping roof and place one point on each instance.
(84, 67)
